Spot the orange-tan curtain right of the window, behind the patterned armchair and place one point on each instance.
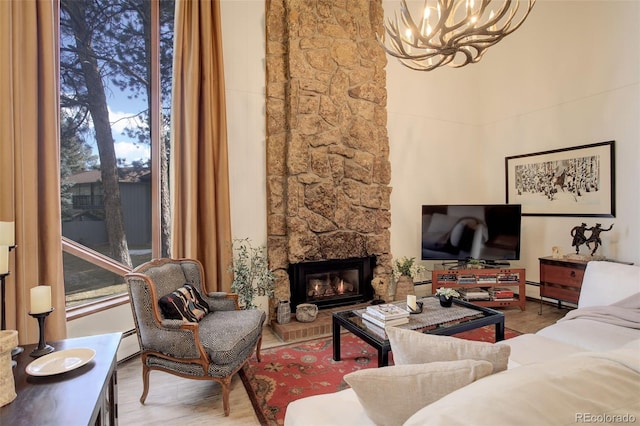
(201, 223)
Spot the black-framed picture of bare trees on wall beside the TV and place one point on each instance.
(575, 181)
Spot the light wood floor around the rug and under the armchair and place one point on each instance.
(174, 400)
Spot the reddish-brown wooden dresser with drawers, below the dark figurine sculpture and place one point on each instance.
(561, 279)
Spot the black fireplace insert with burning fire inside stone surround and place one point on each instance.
(331, 283)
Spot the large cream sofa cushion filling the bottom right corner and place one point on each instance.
(564, 391)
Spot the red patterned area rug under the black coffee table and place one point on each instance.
(295, 371)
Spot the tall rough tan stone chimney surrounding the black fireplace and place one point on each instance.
(327, 145)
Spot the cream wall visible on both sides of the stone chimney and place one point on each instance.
(568, 77)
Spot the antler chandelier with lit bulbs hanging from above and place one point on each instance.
(451, 32)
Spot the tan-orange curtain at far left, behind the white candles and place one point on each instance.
(29, 161)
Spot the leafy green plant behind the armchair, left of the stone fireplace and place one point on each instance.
(252, 277)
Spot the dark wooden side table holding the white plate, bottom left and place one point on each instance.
(86, 395)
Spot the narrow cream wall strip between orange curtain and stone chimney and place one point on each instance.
(243, 30)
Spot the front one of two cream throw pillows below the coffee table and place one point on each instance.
(390, 395)
